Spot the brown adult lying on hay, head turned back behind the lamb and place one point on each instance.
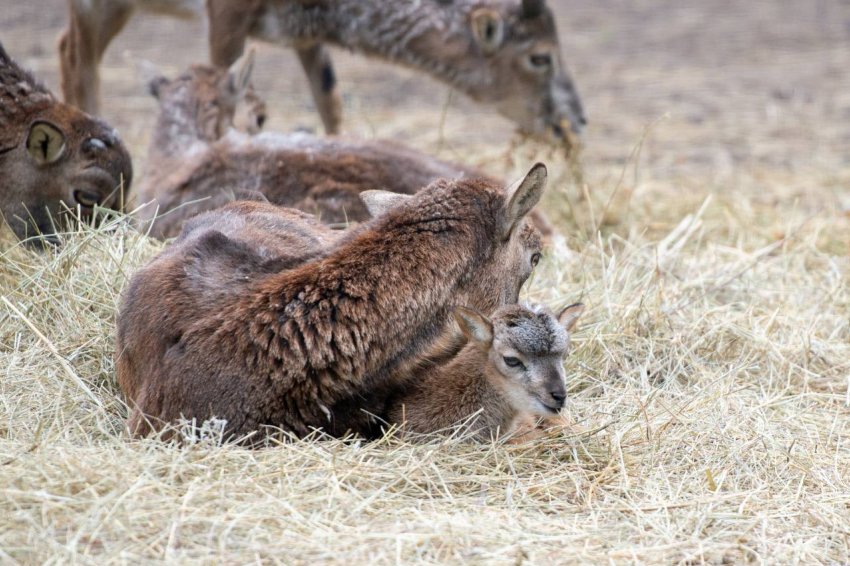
(221, 325)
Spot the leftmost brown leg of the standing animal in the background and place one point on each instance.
(91, 26)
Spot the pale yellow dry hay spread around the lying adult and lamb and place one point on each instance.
(709, 391)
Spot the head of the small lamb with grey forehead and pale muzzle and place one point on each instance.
(525, 350)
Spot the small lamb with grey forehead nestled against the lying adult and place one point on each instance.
(511, 370)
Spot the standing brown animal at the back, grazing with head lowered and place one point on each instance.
(501, 53)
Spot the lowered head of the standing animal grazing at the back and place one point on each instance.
(518, 67)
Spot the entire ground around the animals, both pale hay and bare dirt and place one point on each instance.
(706, 224)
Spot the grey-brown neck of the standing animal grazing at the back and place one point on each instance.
(427, 35)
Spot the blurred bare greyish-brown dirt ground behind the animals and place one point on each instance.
(730, 86)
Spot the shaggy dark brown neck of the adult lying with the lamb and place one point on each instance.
(376, 302)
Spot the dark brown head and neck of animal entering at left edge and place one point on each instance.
(52, 153)
